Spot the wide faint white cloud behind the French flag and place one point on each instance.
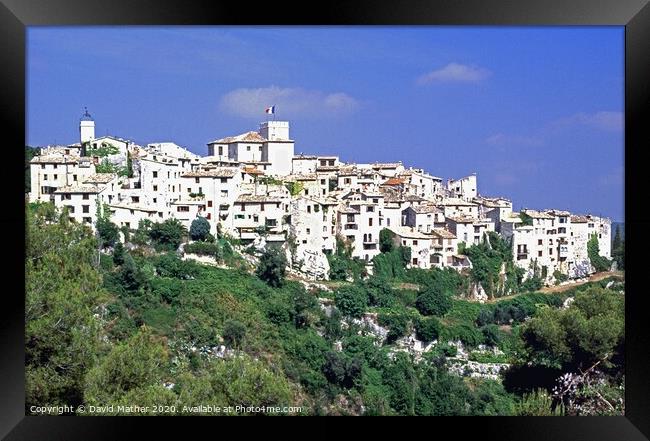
(289, 102)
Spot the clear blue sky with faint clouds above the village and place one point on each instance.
(537, 112)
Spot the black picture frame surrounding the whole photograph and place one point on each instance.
(16, 15)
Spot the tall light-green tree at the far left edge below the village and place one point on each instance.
(63, 290)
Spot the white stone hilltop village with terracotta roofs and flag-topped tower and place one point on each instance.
(254, 188)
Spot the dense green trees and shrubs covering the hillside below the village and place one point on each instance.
(144, 327)
